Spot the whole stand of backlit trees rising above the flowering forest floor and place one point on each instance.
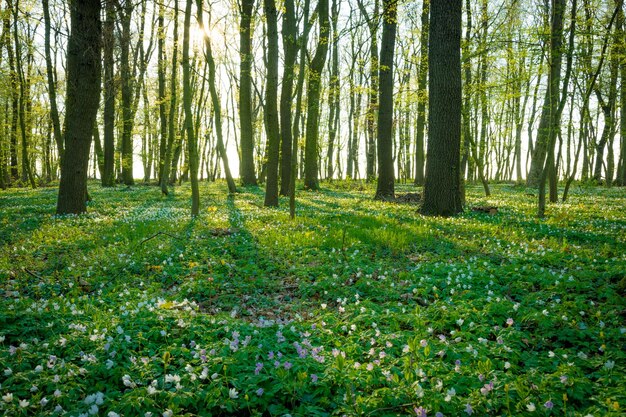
(316, 91)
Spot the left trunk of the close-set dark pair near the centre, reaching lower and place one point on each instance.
(271, 109)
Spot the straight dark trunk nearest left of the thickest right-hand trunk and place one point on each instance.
(385, 187)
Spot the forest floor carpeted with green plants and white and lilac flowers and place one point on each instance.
(355, 308)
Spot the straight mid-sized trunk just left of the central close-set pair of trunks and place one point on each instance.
(248, 177)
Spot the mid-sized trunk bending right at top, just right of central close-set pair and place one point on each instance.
(316, 66)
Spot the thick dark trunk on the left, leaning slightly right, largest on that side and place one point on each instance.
(81, 103)
